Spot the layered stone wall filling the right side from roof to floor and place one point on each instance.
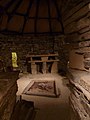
(76, 21)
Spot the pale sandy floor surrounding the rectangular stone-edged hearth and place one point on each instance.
(47, 108)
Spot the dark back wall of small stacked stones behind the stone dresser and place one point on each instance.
(24, 45)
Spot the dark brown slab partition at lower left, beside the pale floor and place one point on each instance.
(8, 89)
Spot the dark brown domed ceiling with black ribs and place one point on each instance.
(30, 17)
